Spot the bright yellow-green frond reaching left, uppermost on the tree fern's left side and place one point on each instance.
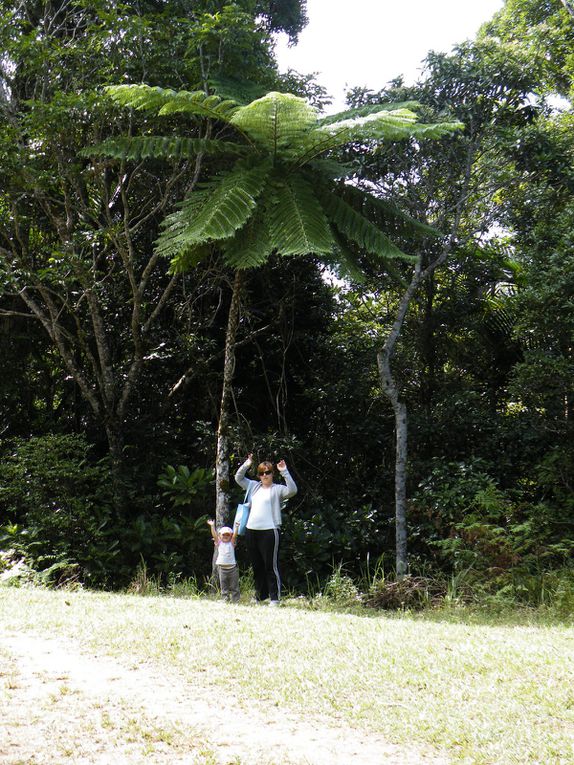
(164, 101)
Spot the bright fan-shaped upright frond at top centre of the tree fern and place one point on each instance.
(276, 122)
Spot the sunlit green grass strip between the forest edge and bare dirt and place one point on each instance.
(482, 690)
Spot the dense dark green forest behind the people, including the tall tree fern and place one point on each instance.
(198, 261)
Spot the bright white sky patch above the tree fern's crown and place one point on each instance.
(370, 42)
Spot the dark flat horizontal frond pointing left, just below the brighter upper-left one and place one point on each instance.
(161, 147)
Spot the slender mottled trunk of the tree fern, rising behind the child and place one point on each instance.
(222, 480)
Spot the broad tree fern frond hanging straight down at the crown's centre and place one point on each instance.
(297, 222)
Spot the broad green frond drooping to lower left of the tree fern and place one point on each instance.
(215, 212)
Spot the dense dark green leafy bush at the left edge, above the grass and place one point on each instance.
(55, 508)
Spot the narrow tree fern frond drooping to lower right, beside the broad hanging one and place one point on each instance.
(354, 226)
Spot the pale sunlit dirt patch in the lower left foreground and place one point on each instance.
(59, 705)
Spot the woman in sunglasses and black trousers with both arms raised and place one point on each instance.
(262, 534)
